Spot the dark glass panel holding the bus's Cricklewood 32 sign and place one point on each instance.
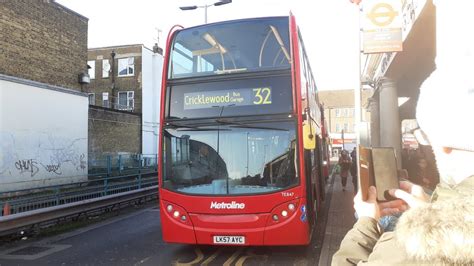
(240, 97)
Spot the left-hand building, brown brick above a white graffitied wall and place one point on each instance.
(44, 114)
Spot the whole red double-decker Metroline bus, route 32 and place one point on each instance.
(240, 135)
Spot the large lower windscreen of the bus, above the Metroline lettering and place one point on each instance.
(229, 158)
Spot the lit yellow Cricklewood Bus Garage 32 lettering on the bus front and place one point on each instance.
(236, 97)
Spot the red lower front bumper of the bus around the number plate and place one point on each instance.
(257, 229)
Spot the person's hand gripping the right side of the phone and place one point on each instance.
(411, 194)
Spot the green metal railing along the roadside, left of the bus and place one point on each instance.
(108, 175)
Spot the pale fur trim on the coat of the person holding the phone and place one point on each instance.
(439, 232)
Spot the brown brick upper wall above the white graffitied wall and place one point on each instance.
(42, 41)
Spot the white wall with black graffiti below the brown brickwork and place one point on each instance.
(43, 136)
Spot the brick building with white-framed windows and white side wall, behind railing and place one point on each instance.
(124, 97)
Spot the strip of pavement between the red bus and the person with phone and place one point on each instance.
(340, 219)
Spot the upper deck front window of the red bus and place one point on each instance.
(239, 46)
